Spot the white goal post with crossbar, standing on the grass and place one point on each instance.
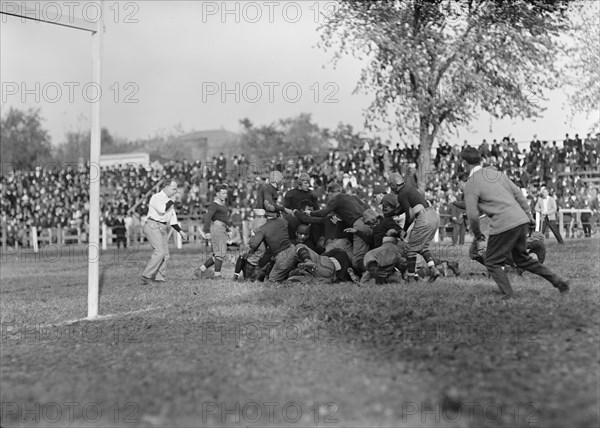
(20, 9)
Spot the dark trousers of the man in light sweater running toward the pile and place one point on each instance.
(513, 242)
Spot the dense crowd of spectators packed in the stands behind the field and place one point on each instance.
(52, 196)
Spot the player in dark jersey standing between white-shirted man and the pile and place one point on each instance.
(216, 223)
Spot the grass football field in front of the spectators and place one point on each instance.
(221, 353)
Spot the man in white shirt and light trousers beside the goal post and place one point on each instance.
(161, 215)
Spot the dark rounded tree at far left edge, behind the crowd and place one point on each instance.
(24, 143)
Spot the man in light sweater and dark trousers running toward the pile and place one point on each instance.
(490, 191)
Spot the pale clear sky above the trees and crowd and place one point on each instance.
(171, 66)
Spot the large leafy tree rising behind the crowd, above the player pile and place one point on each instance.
(434, 64)
